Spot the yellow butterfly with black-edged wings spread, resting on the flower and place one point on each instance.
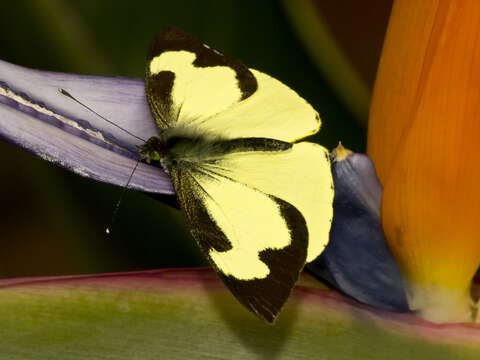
(258, 202)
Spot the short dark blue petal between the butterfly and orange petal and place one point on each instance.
(357, 259)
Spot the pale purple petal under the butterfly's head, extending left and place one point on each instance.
(35, 116)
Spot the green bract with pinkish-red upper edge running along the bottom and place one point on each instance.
(189, 314)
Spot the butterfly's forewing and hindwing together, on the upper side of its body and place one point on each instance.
(193, 86)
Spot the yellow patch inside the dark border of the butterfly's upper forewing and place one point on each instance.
(198, 92)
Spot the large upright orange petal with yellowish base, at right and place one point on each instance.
(423, 136)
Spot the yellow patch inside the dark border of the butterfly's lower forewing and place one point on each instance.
(250, 220)
